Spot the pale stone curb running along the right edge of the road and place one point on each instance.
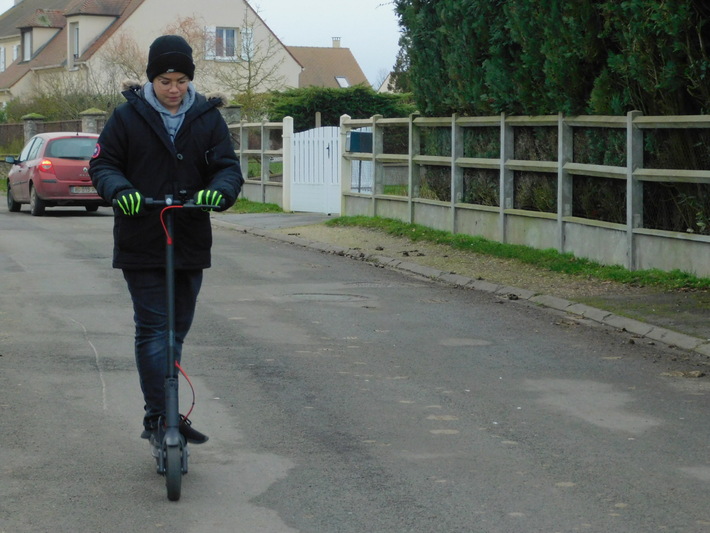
(640, 329)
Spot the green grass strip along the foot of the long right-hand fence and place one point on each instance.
(549, 259)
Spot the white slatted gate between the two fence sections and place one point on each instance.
(315, 166)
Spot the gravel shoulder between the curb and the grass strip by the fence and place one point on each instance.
(686, 312)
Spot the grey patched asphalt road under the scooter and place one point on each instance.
(339, 397)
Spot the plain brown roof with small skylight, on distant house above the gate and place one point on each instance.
(321, 66)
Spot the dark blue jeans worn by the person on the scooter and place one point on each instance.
(148, 292)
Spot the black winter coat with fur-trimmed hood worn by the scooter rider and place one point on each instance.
(134, 151)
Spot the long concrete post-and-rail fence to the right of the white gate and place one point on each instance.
(625, 243)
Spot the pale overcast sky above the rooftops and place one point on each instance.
(367, 27)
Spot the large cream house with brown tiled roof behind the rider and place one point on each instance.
(75, 45)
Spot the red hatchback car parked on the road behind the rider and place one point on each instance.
(52, 170)
